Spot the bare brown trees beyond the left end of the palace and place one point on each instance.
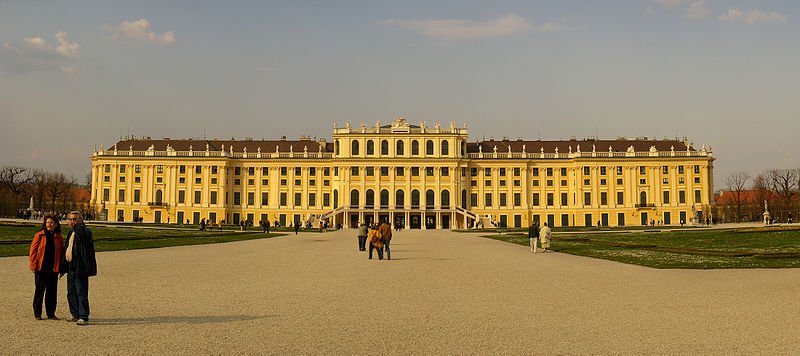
(51, 191)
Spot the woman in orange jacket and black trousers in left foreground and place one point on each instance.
(45, 263)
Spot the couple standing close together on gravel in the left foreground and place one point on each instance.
(51, 257)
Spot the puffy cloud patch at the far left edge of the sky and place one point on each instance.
(37, 54)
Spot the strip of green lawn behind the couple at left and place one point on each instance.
(15, 238)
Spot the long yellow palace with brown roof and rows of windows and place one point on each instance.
(414, 176)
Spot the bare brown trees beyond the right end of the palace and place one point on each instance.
(779, 187)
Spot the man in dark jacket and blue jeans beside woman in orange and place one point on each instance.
(80, 265)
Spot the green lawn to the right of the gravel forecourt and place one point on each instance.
(690, 249)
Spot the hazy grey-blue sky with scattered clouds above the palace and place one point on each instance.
(79, 74)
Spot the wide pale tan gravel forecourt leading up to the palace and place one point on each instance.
(443, 292)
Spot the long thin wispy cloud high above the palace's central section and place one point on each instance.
(466, 29)
